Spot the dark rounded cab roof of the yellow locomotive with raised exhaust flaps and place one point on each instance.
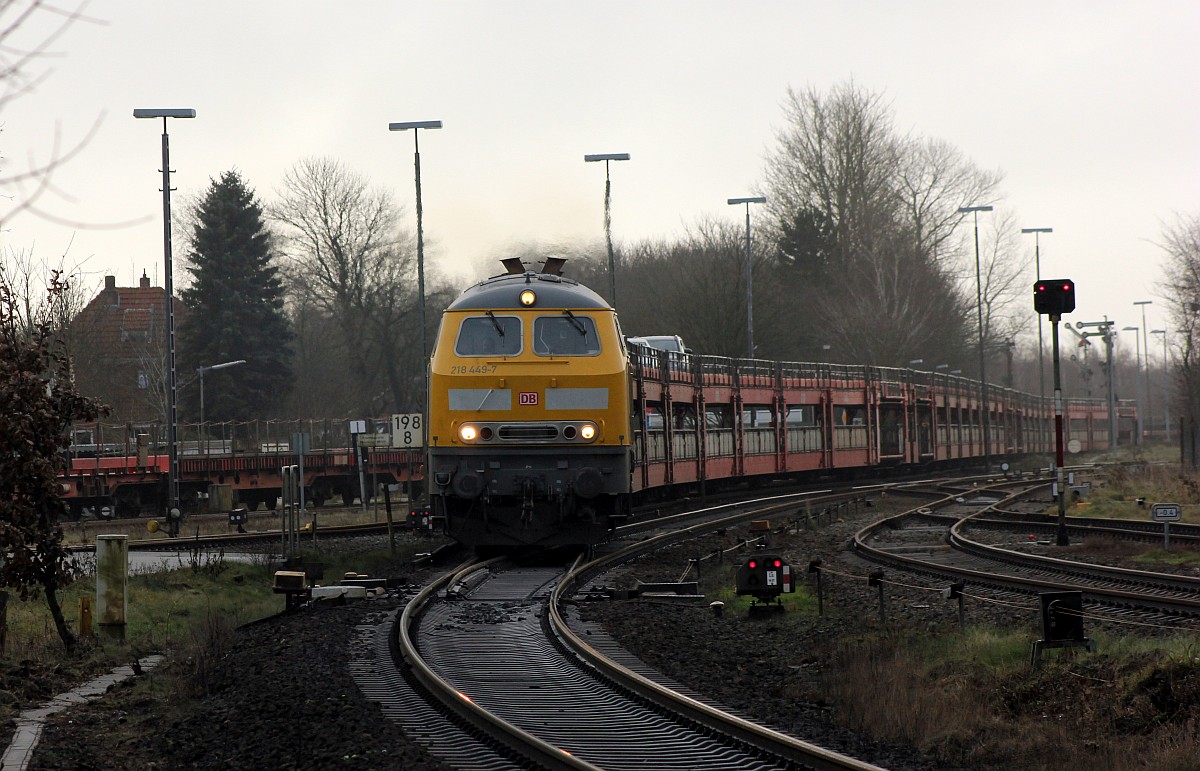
(550, 289)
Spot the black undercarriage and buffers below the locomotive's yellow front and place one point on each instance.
(526, 498)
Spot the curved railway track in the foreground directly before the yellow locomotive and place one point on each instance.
(503, 648)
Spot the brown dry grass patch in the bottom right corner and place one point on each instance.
(973, 702)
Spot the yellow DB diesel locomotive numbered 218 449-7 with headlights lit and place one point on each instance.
(530, 413)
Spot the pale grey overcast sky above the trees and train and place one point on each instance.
(1091, 110)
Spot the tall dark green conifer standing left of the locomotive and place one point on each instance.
(235, 308)
